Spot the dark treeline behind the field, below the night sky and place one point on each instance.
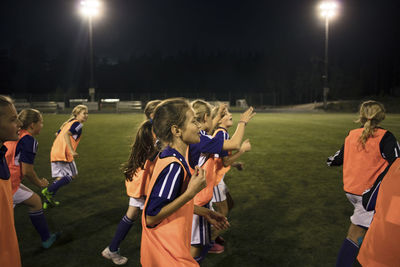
(262, 78)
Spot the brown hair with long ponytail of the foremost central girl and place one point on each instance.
(168, 113)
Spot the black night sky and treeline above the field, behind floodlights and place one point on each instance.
(269, 52)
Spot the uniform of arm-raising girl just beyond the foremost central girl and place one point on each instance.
(201, 154)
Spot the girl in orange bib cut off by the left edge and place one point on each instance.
(9, 127)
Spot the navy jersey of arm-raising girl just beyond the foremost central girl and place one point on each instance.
(200, 152)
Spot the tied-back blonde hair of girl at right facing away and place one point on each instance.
(371, 114)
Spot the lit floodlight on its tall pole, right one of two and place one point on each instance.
(328, 10)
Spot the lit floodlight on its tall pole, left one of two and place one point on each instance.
(90, 9)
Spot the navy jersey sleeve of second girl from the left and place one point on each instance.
(26, 150)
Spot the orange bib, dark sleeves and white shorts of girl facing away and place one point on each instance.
(362, 167)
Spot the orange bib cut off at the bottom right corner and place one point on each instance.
(381, 243)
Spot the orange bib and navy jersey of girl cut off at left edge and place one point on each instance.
(9, 250)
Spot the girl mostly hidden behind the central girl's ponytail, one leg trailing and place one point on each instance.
(136, 184)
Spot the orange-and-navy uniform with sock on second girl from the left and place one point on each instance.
(24, 151)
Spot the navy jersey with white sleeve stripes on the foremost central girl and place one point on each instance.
(168, 185)
